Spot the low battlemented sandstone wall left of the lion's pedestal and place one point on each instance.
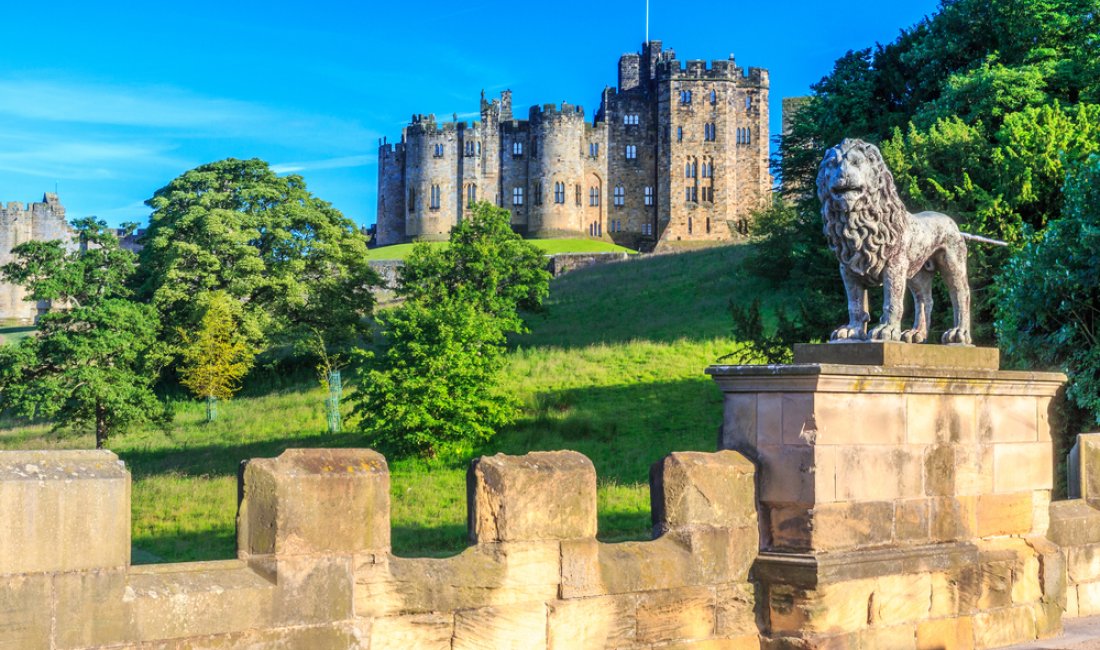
(315, 569)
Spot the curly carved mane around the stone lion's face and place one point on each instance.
(867, 238)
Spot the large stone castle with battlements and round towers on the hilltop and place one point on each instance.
(678, 152)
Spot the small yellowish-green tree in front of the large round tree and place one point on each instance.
(216, 358)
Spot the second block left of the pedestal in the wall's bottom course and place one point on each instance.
(676, 615)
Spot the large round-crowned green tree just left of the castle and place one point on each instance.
(294, 263)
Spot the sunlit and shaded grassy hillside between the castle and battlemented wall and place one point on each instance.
(612, 369)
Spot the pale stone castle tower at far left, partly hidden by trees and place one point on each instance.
(42, 222)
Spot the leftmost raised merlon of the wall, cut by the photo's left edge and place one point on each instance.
(52, 503)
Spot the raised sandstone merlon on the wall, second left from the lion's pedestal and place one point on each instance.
(537, 497)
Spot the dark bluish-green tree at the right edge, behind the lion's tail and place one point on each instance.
(1049, 299)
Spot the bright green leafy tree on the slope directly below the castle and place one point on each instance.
(433, 389)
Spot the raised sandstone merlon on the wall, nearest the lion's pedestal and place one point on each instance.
(697, 489)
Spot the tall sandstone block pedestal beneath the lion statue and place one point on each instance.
(905, 497)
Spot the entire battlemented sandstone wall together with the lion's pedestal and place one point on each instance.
(881, 495)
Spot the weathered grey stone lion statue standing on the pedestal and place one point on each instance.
(879, 244)
